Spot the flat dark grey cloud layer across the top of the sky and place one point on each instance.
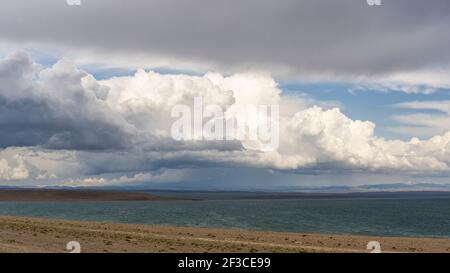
(309, 36)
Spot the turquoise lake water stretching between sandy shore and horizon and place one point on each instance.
(389, 217)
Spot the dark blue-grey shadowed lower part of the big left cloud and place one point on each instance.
(36, 123)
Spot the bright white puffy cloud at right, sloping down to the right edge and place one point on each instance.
(329, 138)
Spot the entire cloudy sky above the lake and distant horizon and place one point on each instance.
(87, 92)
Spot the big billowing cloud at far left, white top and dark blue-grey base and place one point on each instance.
(56, 112)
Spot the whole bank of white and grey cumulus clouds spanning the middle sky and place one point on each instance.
(60, 122)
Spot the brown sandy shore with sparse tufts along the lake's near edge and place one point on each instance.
(19, 234)
